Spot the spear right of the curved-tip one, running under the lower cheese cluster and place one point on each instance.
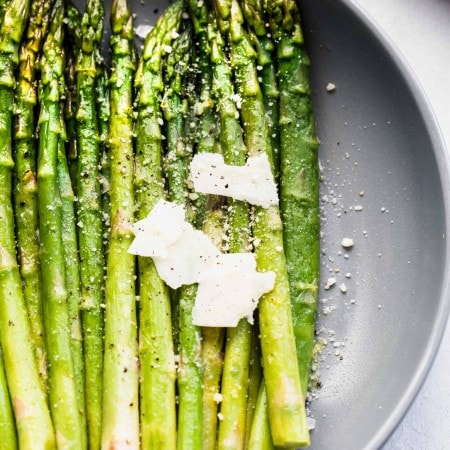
(190, 374)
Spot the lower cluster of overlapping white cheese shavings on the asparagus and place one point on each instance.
(183, 255)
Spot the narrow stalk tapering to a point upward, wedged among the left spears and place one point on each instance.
(70, 243)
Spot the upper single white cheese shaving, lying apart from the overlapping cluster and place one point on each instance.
(252, 182)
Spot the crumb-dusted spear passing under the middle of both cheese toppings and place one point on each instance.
(234, 394)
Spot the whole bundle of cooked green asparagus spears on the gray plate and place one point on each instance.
(96, 350)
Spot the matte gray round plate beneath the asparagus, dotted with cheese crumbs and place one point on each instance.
(378, 136)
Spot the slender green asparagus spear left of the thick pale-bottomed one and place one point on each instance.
(89, 216)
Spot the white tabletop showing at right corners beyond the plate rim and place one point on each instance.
(421, 31)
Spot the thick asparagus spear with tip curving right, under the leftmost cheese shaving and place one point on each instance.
(157, 368)
